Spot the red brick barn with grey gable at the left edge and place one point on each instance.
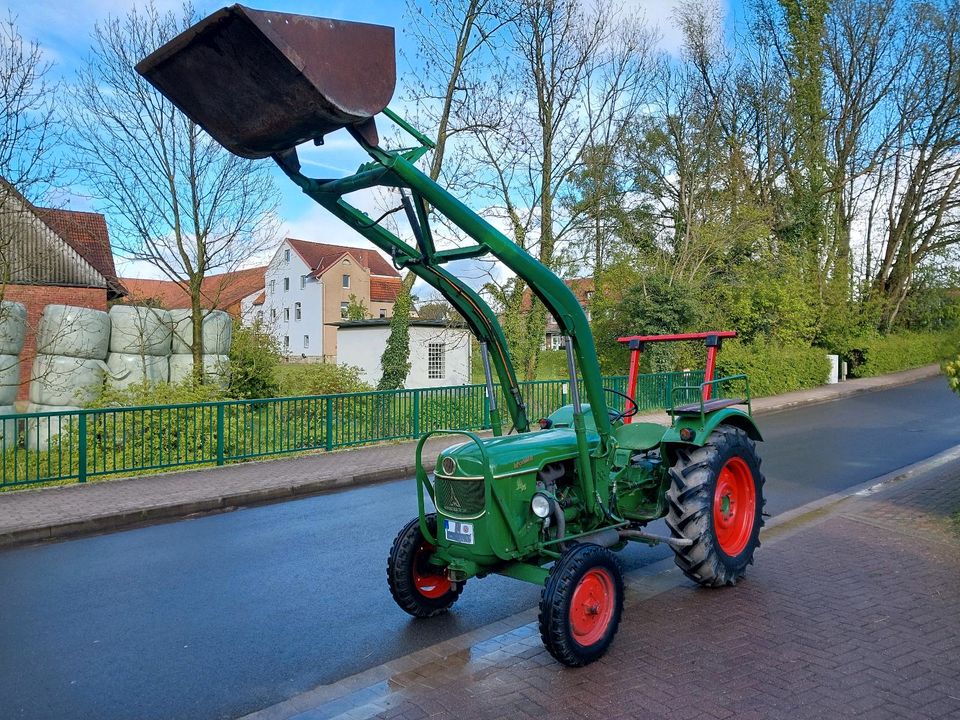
(50, 256)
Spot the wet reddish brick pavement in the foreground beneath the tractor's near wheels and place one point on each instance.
(853, 611)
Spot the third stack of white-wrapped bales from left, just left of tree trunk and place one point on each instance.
(139, 346)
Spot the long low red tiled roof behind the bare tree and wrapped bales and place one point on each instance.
(223, 290)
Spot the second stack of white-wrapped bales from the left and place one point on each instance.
(69, 370)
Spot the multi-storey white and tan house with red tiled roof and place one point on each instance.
(308, 287)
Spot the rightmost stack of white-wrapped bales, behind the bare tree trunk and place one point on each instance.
(217, 333)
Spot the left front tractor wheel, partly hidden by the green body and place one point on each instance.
(416, 585)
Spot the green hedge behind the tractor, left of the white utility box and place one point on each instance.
(773, 368)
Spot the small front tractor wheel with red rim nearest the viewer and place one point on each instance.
(563, 611)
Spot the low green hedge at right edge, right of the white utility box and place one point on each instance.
(881, 354)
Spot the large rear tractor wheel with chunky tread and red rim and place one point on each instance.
(721, 546)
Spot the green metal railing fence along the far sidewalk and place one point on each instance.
(82, 444)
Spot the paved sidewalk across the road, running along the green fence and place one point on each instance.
(31, 515)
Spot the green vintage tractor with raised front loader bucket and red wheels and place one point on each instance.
(549, 504)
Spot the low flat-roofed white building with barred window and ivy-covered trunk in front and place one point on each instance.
(439, 353)
